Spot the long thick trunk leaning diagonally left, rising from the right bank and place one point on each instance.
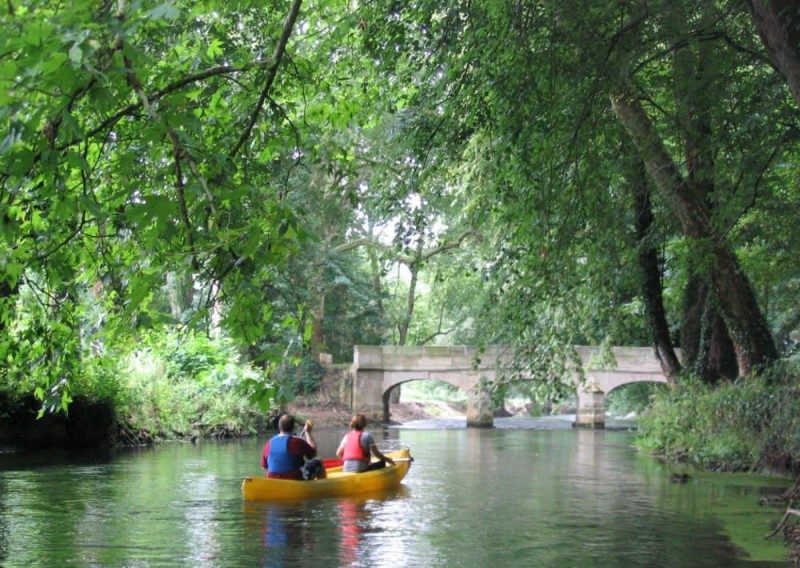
(747, 325)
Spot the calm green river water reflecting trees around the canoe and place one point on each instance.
(527, 493)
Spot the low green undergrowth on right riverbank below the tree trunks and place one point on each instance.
(740, 425)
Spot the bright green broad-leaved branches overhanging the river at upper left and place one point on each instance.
(139, 139)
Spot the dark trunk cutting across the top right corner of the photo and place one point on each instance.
(778, 24)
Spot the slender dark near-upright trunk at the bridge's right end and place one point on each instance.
(647, 257)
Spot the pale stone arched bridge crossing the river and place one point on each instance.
(377, 370)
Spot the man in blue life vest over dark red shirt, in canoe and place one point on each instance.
(285, 455)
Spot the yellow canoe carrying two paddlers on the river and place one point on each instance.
(337, 483)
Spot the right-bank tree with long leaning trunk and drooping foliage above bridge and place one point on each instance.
(527, 82)
